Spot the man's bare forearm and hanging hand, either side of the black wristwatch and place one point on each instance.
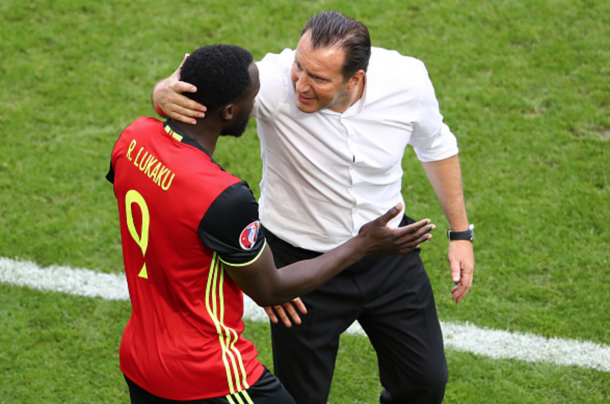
(446, 179)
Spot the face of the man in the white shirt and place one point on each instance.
(317, 77)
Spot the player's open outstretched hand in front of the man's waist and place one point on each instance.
(380, 239)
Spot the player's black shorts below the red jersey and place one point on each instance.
(267, 390)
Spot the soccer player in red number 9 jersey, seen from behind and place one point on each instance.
(191, 245)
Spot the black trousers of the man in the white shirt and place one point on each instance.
(392, 299)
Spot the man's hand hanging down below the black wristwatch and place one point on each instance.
(461, 263)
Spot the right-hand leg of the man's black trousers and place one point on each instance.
(401, 321)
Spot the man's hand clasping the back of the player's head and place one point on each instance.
(167, 99)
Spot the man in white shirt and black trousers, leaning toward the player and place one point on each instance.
(334, 118)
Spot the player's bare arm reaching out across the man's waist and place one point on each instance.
(268, 285)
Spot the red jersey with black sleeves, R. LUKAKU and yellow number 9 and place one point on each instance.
(181, 217)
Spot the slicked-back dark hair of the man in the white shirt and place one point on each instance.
(330, 28)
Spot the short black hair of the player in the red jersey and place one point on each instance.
(220, 73)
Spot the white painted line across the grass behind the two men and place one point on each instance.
(496, 344)
